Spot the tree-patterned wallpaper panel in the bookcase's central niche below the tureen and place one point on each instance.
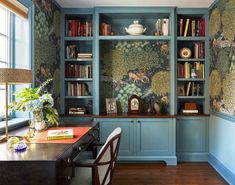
(135, 67)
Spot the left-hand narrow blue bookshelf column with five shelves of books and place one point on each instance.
(77, 62)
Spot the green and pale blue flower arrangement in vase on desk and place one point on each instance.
(40, 103)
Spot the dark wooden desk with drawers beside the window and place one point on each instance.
(43, 163)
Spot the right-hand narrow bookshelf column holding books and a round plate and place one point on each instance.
(191, 61)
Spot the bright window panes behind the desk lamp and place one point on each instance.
(14, 49)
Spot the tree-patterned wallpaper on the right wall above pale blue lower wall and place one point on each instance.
(222, 57)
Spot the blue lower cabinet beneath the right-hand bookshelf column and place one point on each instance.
(192, 138)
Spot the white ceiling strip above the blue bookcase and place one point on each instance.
(93, 3)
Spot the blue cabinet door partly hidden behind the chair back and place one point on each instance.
(126, 145)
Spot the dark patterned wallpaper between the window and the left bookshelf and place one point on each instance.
(47, 46)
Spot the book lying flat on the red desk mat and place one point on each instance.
(60, 134)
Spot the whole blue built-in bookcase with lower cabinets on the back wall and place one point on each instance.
(145, 138)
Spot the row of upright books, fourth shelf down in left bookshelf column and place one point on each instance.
(77, 89)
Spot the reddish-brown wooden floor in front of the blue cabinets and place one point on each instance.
(160, 174)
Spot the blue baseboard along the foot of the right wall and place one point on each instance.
(222, 170)
